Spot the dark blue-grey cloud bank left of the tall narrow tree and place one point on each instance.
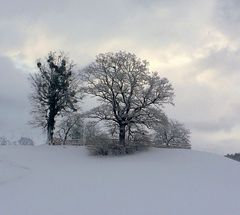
(14, 104)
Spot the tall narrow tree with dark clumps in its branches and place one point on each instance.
(54, 91)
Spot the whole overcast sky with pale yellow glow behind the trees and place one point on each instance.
(195, 44)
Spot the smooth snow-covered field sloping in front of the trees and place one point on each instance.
(43, 180)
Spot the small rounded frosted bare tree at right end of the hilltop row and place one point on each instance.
(172, 134)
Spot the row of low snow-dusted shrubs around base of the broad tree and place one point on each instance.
(99, 140)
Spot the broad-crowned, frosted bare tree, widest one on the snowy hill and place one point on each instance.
(128, 92)
